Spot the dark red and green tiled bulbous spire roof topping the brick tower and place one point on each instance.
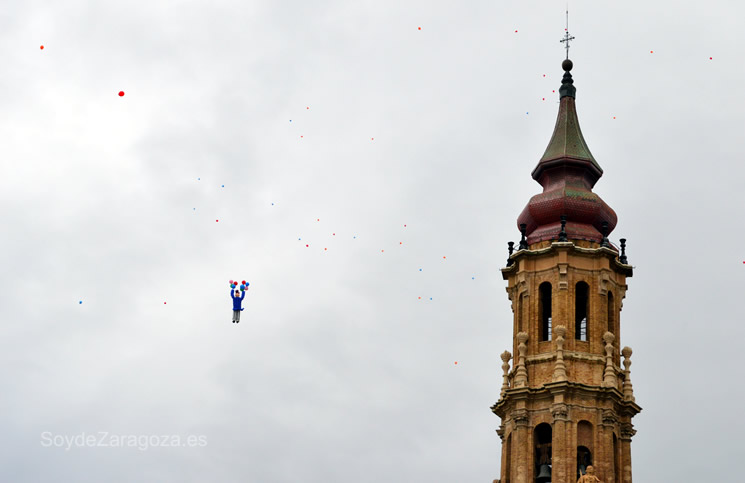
(567, 171)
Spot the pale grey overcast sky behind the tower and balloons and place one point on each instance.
(373, 173)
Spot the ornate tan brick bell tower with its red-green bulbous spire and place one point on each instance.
(567, 402)
